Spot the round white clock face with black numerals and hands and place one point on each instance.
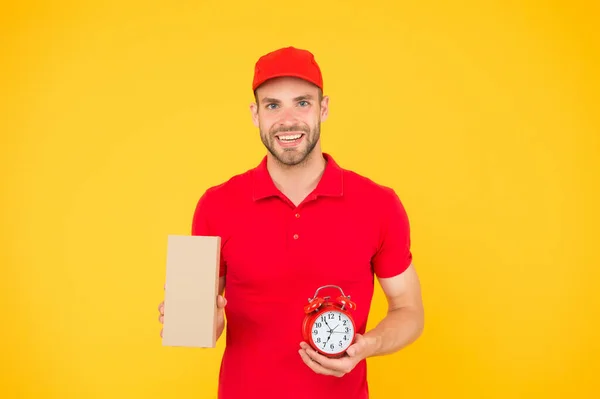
(332, 332)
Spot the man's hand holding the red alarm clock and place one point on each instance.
(361, 349)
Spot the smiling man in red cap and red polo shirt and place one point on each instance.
(295, 223)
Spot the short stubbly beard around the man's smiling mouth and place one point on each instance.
(292, 156)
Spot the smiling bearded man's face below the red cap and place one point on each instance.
(289, 113)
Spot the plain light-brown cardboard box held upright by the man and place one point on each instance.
(191, 289)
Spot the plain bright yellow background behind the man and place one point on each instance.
(484, 118)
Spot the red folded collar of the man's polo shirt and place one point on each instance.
(331, 183)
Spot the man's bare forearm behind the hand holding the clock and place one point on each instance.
(399, 328)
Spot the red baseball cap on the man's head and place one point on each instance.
(288, 61)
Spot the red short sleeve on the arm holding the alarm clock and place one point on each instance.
(393, 255)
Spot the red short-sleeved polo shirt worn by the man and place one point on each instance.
(275, 255)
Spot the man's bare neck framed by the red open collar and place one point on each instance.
(297, 182)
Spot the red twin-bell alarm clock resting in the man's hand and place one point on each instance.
(328, 324)
